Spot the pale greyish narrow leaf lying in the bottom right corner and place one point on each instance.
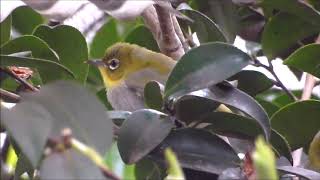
(300, 172)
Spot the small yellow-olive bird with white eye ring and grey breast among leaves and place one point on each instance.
(126, 69)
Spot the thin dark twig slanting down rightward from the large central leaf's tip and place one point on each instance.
(278, 82)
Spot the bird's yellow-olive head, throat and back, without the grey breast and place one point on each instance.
(132, 65)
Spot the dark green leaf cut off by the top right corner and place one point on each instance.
(295, 7)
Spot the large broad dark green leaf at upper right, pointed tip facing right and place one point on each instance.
(283, 31)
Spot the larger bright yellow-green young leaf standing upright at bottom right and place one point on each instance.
(264, 160)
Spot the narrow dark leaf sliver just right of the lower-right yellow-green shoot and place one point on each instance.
(280, 144)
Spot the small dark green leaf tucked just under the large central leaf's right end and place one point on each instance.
(252, 82)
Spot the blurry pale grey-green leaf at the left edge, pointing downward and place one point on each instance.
(29, 124)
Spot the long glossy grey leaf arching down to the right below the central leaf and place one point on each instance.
(228, 95)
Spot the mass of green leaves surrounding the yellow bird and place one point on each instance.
(199, 122)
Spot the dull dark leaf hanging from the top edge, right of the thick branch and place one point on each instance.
(224, 13)
